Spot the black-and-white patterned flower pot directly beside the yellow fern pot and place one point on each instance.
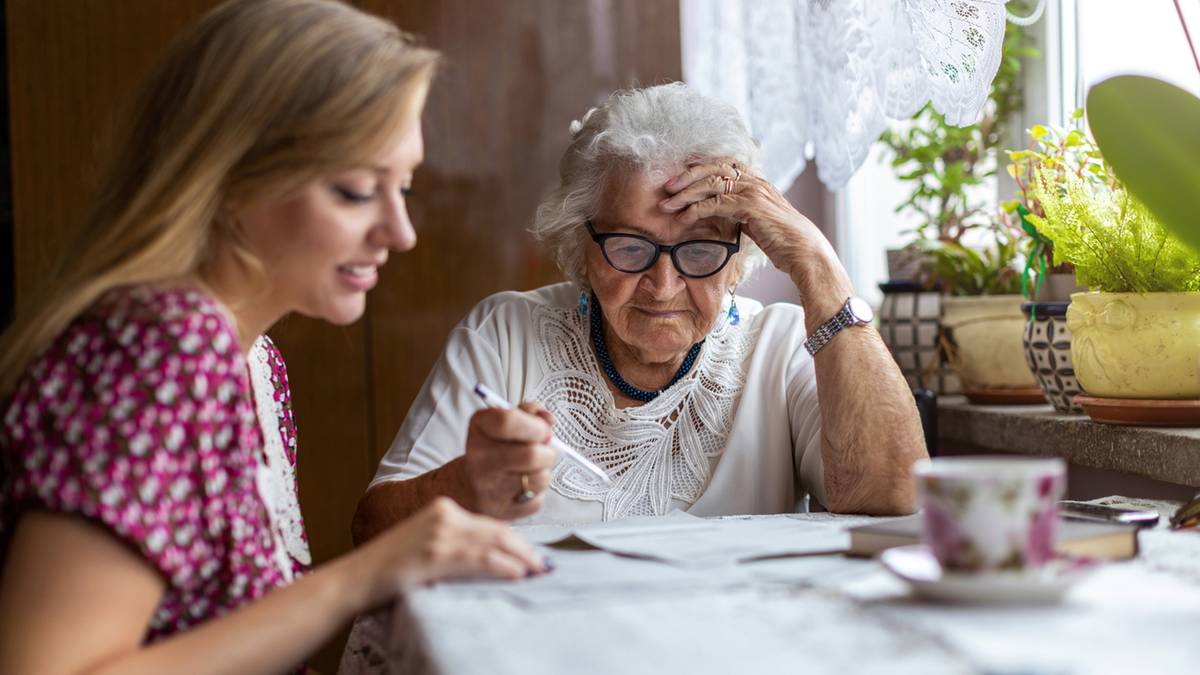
(1048, 354)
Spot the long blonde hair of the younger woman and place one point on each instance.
(254, 100)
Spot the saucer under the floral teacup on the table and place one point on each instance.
(917, 566)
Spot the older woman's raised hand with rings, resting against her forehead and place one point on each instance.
(721, 188)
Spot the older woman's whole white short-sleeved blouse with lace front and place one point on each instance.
(741, 434)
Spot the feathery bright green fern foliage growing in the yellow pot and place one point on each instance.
(1114, 241)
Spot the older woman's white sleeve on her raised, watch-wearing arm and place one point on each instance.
(805, 413)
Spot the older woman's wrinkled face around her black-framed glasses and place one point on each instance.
(659, 314)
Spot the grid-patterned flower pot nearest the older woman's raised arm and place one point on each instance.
(910, 325)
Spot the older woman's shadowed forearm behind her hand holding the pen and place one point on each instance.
(391, 503)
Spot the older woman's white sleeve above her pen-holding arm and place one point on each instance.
(435, 432)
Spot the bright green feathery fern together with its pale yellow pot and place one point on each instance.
(1135, 334)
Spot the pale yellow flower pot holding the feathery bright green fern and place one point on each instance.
(1137, 347)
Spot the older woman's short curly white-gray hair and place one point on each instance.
(649, 132)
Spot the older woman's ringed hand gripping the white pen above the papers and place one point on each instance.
(507, 455)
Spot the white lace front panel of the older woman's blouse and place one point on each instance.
(655, 453)
